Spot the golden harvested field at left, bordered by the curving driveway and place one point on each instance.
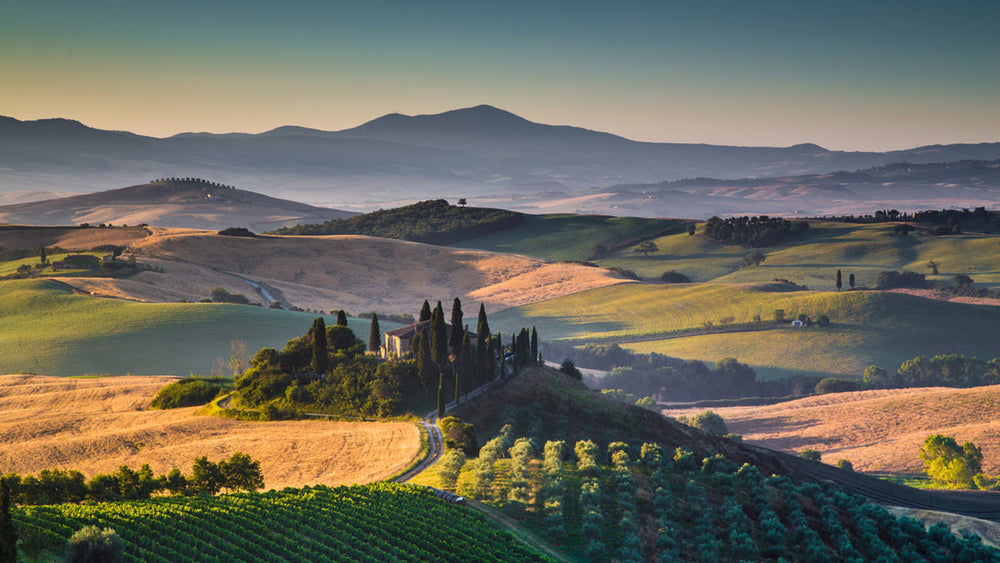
(94, 425)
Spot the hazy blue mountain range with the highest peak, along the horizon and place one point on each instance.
(462, 153)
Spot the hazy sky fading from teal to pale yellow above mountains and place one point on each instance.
(846, 75)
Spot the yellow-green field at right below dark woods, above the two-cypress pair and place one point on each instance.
(813, 258)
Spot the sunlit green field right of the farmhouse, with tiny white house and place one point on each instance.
(868, 327)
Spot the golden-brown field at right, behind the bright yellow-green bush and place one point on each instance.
(878, 431)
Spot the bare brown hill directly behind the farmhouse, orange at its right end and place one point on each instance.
(355, 273)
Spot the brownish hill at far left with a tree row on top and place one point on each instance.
(189, 203)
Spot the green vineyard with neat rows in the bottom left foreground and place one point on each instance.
(377, 522)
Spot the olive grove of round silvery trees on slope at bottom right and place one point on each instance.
(643, 503)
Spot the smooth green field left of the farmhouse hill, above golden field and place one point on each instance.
(48, 330)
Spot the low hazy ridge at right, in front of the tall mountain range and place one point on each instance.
(903, 186)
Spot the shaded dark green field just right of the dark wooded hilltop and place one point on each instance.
(567, 236)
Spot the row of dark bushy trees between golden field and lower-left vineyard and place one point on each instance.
(56, 486)
